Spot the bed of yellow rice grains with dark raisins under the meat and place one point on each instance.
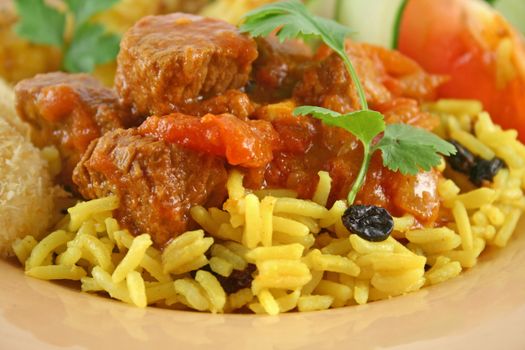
(268, 252)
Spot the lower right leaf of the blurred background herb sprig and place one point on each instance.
(91, 45)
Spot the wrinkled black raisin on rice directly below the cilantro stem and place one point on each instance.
(369, 222)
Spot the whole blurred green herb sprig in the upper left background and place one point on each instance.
(90, 43)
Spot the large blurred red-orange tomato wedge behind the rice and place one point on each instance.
(476, 47)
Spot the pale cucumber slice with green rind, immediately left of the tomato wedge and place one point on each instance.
(375, 21)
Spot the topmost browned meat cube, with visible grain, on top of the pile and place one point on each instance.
(167, 61)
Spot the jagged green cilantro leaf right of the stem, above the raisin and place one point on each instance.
(408, 149)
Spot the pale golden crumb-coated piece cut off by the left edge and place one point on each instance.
(26, 191)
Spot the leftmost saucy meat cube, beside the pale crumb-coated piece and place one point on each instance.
(68, 111)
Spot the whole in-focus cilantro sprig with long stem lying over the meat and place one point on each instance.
(404, 148)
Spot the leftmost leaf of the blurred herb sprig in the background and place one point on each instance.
(40, 23)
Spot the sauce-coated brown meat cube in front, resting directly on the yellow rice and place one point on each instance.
(157, 183)
